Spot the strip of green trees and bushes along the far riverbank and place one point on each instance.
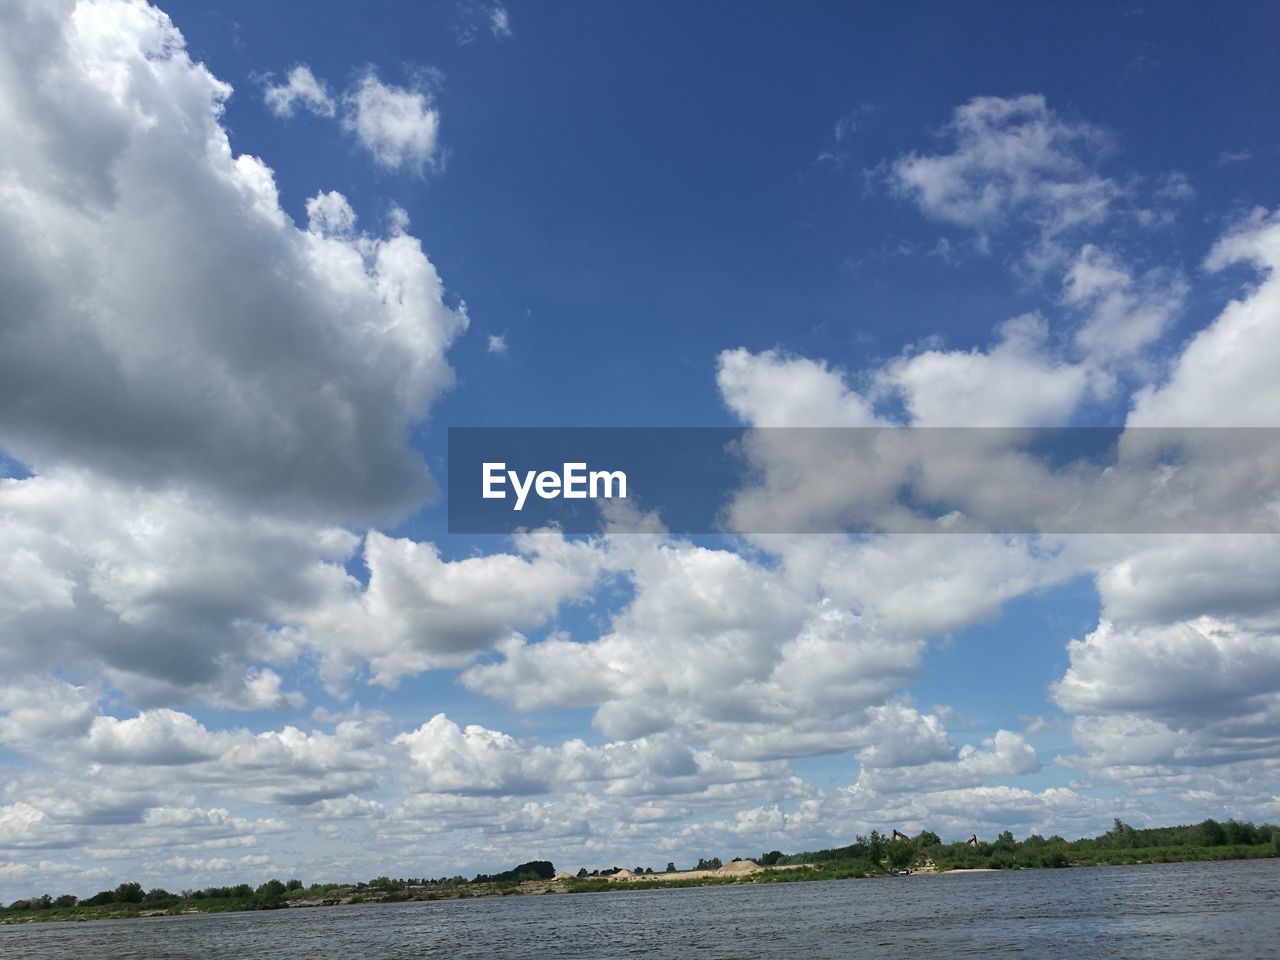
(867, 857)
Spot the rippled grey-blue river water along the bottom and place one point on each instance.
(1160, 911)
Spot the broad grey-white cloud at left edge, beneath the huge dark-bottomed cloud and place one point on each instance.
(161, 589)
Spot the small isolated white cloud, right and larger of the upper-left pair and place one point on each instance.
(396, 125)
